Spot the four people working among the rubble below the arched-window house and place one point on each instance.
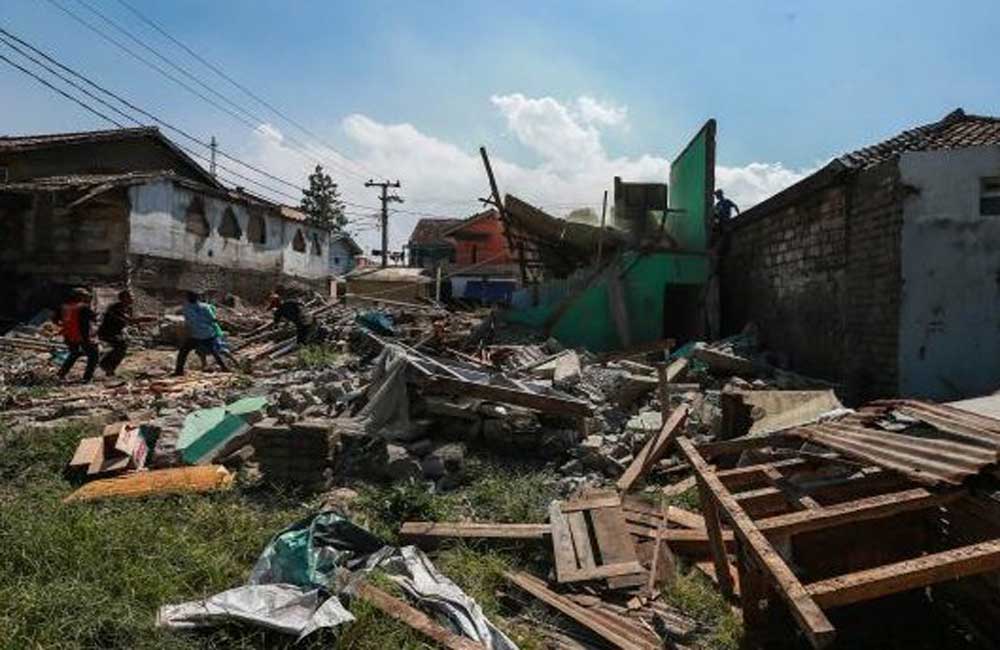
(205, 336)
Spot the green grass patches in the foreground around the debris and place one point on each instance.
(92, 575)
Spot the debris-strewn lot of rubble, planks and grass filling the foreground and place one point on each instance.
(432, 477)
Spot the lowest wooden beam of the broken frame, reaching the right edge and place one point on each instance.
(908, 574)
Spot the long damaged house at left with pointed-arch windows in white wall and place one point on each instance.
(129, 207)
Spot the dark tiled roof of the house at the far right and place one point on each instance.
(955, 130)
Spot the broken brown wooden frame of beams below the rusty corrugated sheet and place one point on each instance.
(773, 510)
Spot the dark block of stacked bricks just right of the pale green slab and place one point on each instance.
(299, 455)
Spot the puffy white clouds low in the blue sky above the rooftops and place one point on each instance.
(438, 177)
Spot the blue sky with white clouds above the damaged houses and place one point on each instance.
(564, 94)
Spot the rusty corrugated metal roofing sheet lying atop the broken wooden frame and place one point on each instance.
(931, 444)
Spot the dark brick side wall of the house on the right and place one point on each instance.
(819, 275)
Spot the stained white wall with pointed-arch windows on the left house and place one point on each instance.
(159, 212)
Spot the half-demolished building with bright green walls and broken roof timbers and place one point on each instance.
(607, 289)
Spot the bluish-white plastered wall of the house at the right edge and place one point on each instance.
(949, 343)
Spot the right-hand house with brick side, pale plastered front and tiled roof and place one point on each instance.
(880, 270)
